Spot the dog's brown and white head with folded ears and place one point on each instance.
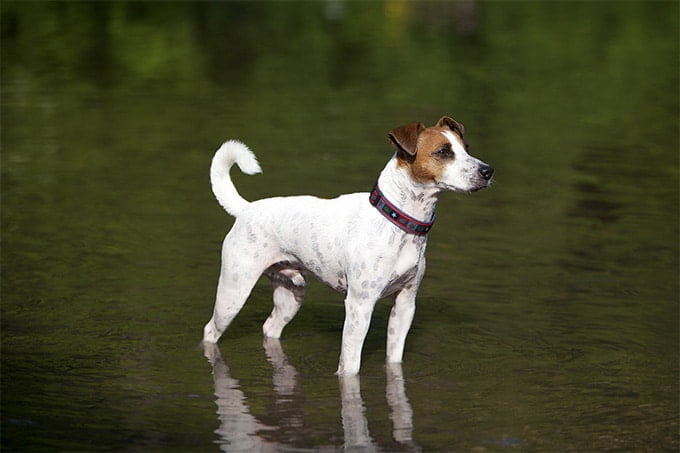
(438, 155)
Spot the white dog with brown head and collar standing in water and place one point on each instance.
(365, 245)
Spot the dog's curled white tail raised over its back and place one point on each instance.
(229, 153)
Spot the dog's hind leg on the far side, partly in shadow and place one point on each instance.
(289, 292)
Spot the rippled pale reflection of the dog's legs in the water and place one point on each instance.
(239, 430)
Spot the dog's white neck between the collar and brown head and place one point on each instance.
(413, 198)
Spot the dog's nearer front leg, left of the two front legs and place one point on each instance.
(358, 310)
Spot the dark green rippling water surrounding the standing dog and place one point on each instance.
(548, 317)
